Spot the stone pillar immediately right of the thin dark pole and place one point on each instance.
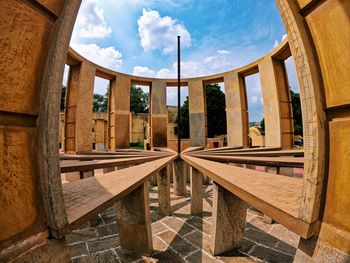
(196, 97)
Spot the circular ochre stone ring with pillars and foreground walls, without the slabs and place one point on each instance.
(34, 49)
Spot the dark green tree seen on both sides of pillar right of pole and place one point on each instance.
(216, 113)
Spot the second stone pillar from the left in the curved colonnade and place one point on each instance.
(119, 112)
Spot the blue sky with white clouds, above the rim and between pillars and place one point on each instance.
(140, 37)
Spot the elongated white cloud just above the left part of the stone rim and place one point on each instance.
(107, 57)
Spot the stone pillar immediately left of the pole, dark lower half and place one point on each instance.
(159, 114)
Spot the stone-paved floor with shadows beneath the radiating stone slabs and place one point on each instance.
(182, 237)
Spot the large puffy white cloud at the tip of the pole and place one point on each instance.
(158, 32)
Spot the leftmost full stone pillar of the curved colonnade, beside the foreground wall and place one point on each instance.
(78, 113)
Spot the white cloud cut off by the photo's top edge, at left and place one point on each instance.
(91, 22)
